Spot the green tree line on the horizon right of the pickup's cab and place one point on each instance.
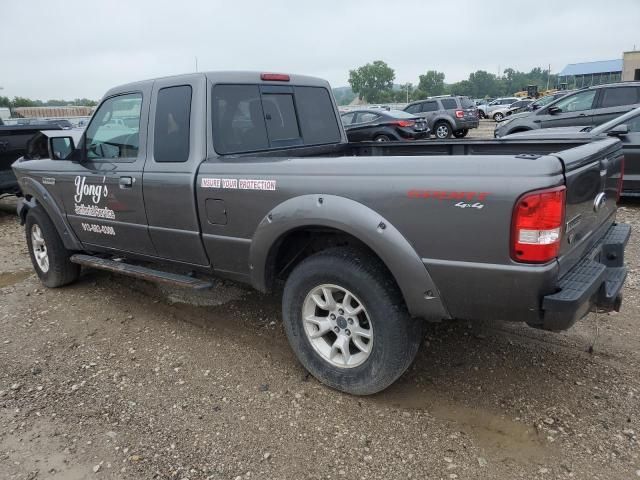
(374, 83)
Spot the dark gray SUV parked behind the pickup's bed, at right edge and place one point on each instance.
(585, 107)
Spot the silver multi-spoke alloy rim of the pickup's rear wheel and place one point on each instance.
(337, 326)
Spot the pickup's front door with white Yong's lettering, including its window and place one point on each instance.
(102, 192)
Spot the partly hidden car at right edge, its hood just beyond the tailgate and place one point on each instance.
(626, 127)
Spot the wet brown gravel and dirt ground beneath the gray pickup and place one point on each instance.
(115, 378)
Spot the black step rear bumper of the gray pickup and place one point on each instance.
(595, 282)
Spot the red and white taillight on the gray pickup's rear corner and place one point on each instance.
(537, 225)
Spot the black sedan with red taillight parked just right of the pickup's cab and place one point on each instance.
(383, 125)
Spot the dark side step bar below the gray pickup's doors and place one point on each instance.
(141, 272)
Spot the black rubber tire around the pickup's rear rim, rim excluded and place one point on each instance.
(396, 335)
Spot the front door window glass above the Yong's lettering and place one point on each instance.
(114, 132)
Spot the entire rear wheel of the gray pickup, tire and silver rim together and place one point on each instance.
(370, 344)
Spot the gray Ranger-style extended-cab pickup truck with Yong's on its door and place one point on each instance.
(249, 176)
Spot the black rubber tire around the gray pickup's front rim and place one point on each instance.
(60, 271)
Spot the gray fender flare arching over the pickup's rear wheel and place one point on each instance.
(317, 210)
